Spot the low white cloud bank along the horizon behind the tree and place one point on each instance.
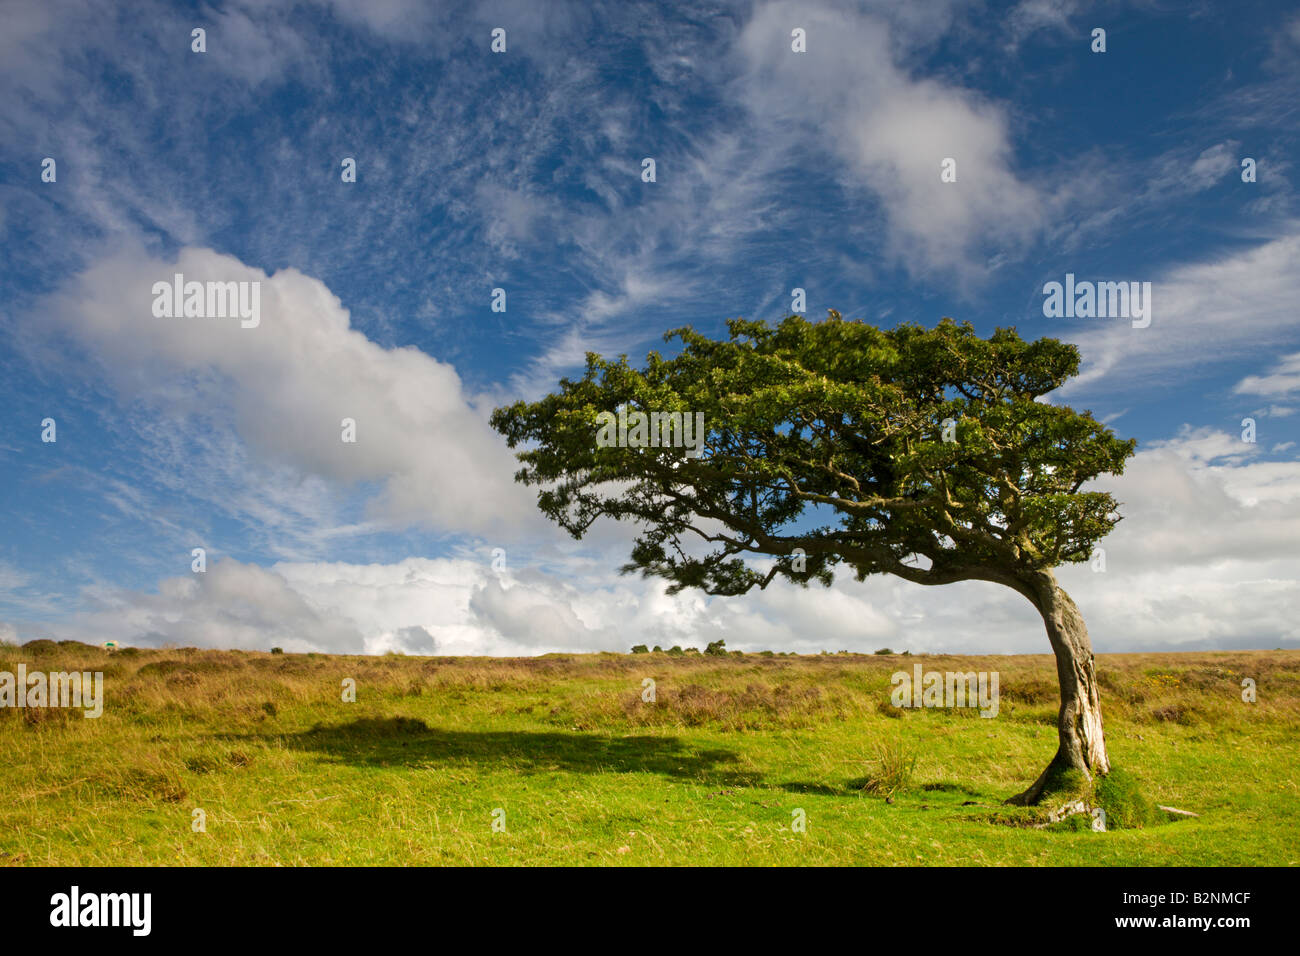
(1204, 559)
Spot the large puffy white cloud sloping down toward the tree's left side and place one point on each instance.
(291, 382)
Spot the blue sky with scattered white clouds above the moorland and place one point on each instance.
(1165, 159)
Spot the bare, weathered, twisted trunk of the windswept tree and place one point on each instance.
(1082, 743)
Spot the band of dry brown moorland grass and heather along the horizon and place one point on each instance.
(733, 693)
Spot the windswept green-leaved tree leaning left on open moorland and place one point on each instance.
(920, 453)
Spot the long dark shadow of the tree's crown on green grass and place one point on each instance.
(408, 742)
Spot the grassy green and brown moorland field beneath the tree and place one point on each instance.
(558, 760)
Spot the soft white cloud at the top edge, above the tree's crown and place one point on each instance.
(891, 131)
